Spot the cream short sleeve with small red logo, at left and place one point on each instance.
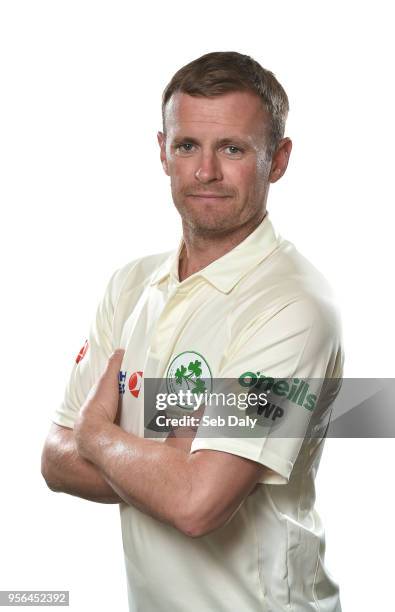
(92, 358)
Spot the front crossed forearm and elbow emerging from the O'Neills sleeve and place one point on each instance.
(196, 493)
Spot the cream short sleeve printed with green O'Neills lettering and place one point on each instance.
(300, 344)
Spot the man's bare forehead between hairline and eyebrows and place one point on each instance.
(239, 111)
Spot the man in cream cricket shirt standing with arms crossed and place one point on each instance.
(210, 523)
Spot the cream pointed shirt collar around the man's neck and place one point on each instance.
(226, 271)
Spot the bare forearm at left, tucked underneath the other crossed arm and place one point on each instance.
(66, 471)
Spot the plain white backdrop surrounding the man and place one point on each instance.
(83, 192)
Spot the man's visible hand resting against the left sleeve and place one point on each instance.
(101, 405)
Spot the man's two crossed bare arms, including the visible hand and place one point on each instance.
(99, 461)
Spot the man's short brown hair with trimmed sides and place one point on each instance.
(221, 72)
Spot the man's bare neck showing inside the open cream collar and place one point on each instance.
(201, 249)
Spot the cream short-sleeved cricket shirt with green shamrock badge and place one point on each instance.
(261, 308)
